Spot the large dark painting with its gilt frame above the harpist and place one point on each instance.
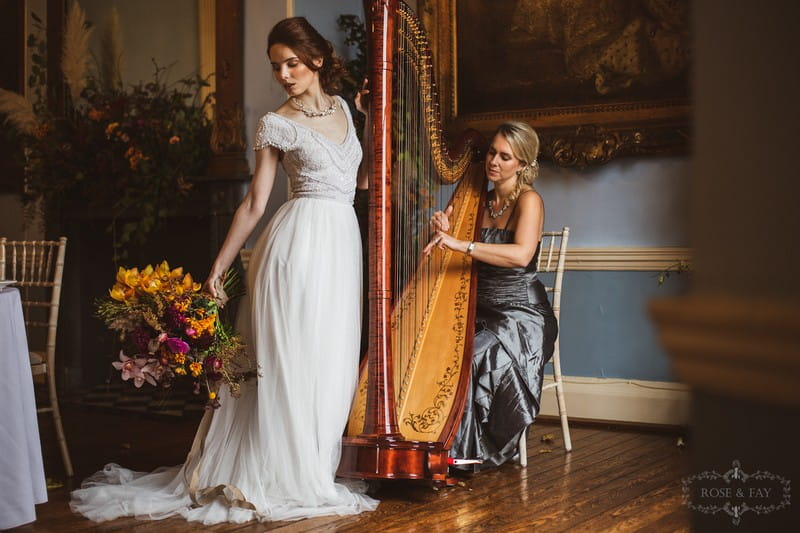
(597, 78)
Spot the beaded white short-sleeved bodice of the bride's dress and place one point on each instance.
(317, 166)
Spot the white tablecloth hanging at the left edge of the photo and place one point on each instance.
(22, 482)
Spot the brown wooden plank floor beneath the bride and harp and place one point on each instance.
(614, 480)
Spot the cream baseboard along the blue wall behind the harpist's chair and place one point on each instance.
(621, 400)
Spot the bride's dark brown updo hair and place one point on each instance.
(308, 44)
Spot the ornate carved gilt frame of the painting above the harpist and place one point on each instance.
(574, 136)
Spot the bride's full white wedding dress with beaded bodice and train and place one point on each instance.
(272, 454)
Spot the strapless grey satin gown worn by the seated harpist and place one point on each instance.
(515, 331)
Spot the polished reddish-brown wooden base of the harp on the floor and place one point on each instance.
(375, 458)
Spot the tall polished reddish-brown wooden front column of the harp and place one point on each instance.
(380, 420)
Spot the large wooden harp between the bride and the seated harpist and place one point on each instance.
(413, 384)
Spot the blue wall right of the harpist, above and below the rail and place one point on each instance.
(636, 202)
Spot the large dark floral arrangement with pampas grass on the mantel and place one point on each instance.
(128, 152)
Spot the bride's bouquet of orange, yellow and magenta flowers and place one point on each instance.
(169, 328)
